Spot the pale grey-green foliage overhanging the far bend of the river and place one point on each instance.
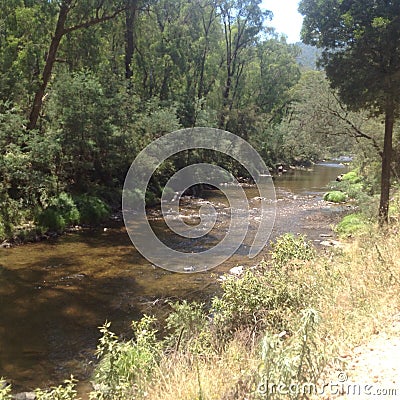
(316, 126)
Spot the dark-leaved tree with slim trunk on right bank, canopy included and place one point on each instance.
(361, 56)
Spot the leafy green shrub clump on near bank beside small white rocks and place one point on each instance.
(267, 298)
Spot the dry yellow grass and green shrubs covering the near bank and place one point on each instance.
(285, 323)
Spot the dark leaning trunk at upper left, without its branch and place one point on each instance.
(50, 60)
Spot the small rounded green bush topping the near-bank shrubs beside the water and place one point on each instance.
(289, 248)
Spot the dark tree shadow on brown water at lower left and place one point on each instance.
(50, 315)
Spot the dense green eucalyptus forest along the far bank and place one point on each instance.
(85, 85)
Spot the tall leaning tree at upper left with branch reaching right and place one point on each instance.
(87, 14)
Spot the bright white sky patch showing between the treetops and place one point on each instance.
(286, 18)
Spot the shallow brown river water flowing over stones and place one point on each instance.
(54, 294)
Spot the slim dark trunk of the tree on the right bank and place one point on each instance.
(386, 163)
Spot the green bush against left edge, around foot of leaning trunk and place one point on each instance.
(26, 170)
